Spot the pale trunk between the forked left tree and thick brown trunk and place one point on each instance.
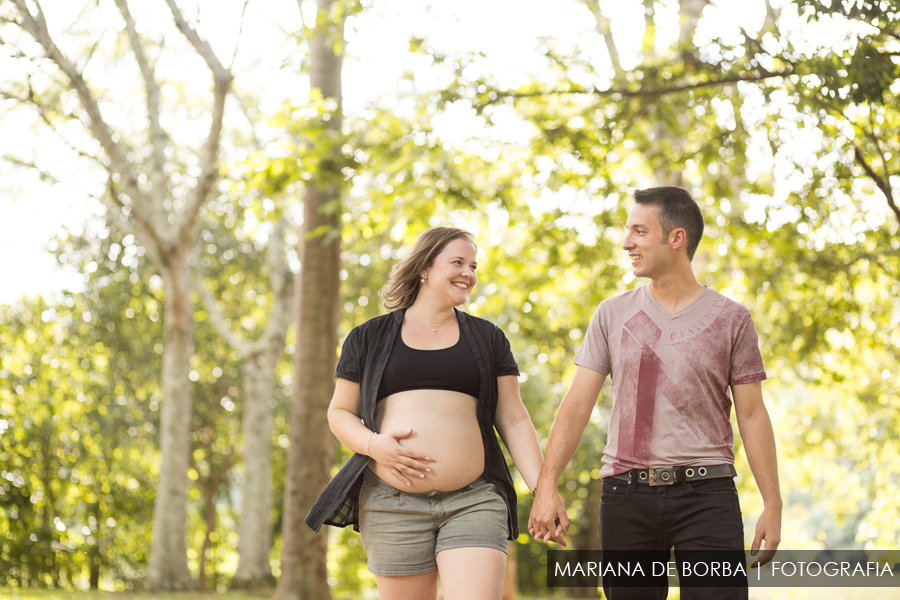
(255, 531)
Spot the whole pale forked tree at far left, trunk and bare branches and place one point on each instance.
(167, 235)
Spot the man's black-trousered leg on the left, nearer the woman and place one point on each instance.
(632, 527)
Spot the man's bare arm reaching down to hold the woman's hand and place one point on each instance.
(548, 517)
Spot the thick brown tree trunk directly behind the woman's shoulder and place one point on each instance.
(311, 454)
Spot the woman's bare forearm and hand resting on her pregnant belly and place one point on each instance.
(384, 448)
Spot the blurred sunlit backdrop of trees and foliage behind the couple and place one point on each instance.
(237, 200)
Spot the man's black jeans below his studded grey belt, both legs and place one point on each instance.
(699, 515)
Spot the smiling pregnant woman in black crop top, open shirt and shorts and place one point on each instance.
(419, 392)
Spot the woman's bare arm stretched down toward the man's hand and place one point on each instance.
(516, 430)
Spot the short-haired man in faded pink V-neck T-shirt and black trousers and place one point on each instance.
(672, 348)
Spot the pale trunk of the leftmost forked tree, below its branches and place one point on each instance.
(168, 568)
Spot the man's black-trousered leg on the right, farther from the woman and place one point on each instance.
(707, 530)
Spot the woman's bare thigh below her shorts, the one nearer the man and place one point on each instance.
(472, 573)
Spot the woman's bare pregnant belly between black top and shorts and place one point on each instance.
(445, 428)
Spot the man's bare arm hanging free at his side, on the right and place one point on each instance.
(759, 444)
